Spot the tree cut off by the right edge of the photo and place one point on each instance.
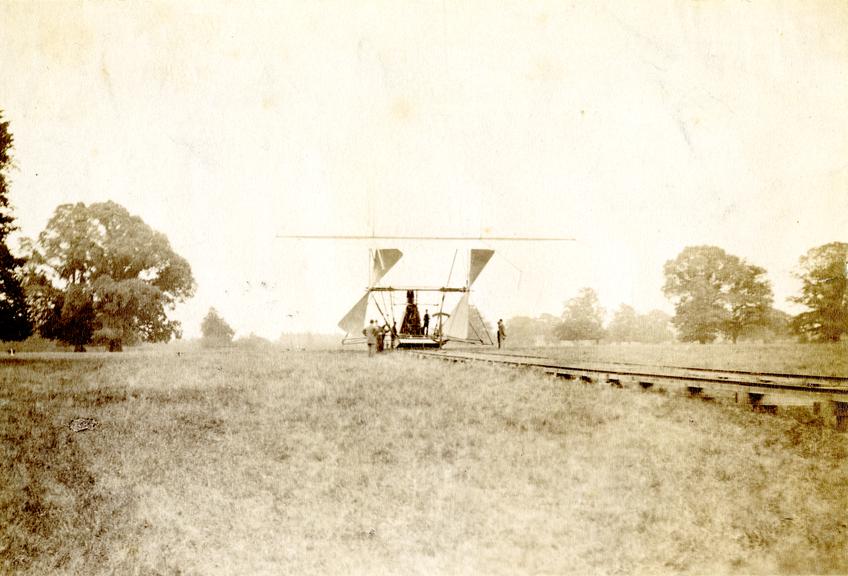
(824, 291)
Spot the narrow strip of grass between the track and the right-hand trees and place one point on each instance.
(824, 359)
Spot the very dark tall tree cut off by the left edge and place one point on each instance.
(14, 319)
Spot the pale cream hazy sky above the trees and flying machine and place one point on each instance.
(638, 128)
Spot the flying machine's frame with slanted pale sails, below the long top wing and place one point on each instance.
(447, 316)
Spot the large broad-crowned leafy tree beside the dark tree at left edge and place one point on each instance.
(103, 255)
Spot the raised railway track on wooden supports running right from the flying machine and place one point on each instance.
(763, 391)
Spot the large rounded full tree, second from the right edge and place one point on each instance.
(715, 293)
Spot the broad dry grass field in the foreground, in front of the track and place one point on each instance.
(265, 462)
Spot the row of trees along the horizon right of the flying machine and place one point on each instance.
(715, 295)
